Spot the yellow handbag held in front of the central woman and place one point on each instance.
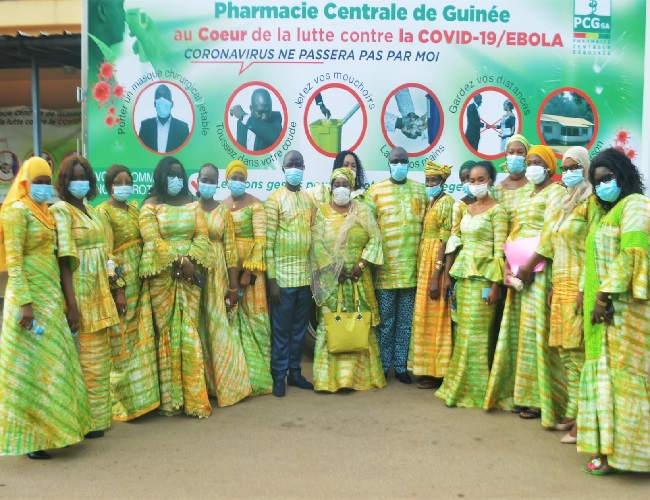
(347, 331)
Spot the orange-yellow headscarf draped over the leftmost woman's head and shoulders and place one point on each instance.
(20, 191)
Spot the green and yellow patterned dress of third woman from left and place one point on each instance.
(134, 367)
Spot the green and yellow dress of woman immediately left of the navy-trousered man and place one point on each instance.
(252, 313)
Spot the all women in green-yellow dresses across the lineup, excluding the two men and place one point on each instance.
(563, 335)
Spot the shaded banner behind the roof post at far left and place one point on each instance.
(60, 131)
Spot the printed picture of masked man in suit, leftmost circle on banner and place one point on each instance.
(163, 133)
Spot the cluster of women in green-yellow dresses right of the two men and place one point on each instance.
(567, 338)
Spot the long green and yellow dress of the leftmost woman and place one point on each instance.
(43, 400)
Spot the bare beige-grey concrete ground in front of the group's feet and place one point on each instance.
(396, 442)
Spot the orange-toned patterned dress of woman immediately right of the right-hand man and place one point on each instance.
(431, 335)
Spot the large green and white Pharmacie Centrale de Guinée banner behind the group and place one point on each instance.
(209, 82)
